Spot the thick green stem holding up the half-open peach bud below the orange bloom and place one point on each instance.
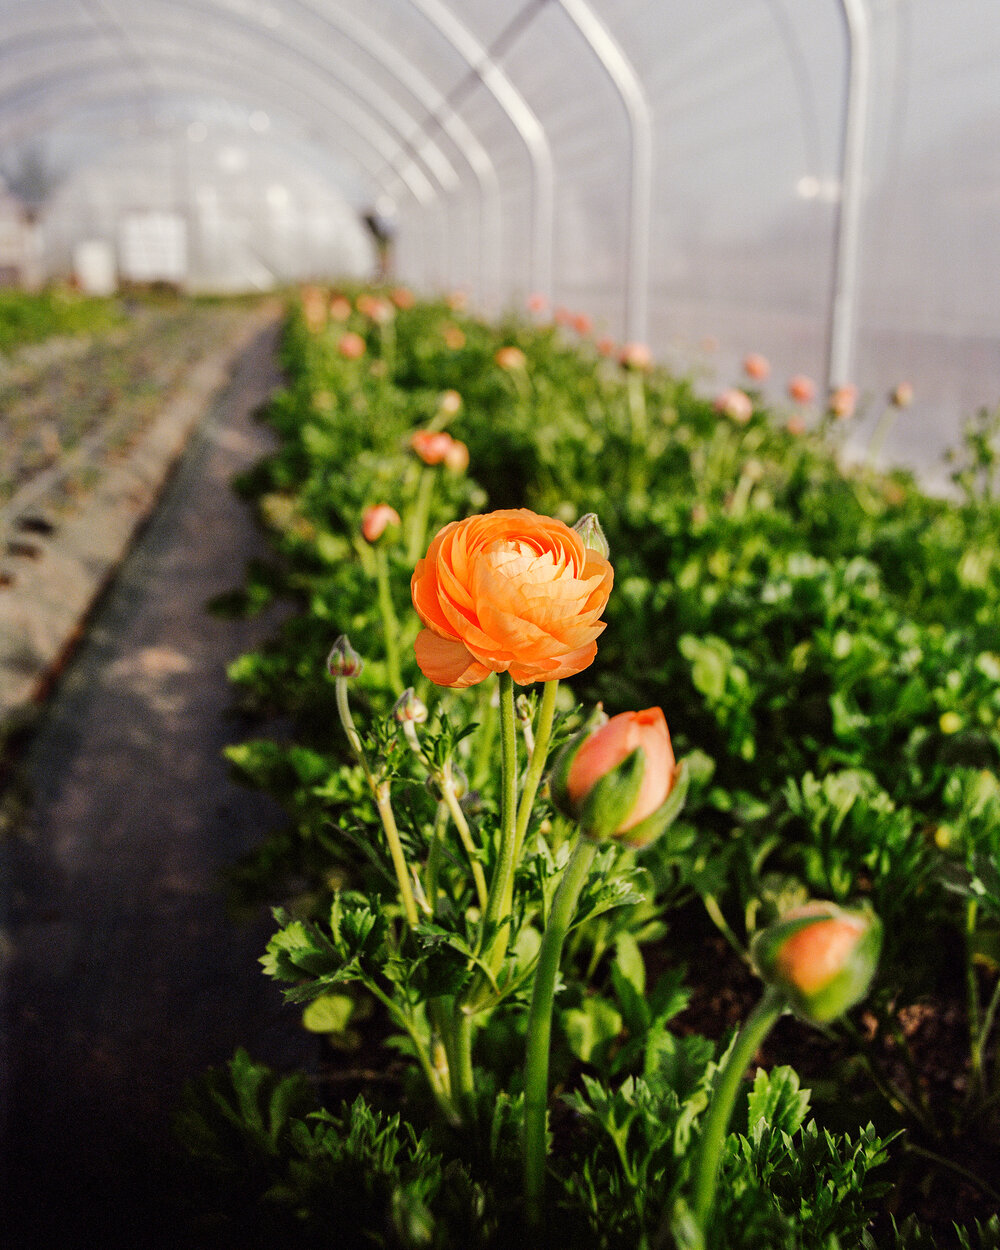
(541, 1026)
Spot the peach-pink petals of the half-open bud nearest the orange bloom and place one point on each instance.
(609, 747)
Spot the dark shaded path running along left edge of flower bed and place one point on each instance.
(122, 973)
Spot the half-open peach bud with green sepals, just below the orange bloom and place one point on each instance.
(616, 779)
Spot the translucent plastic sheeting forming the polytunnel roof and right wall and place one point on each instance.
(816, 182)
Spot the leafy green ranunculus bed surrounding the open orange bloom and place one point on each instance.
(826, 646)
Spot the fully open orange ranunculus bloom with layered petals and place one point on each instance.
(509, 592)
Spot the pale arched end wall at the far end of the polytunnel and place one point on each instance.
(223, 211)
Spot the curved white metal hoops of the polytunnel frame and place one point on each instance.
(484, 67)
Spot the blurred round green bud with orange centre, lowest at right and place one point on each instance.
(821, 957)
